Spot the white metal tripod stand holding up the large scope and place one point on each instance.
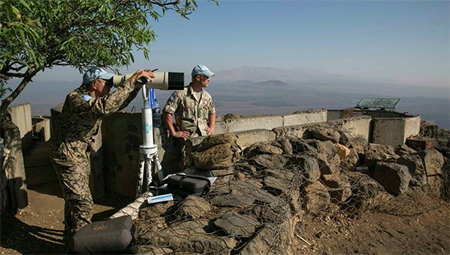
(149, 163)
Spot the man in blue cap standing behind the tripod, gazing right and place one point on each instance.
(193, 110)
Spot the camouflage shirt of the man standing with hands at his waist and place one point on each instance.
(191, 113)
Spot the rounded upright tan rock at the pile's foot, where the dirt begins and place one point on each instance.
(316, 197)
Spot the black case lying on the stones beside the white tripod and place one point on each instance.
(185, 185)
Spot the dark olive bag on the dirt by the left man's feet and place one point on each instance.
(114, 236)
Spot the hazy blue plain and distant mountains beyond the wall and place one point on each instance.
(267, 90)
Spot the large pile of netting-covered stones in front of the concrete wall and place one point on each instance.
(255, 204)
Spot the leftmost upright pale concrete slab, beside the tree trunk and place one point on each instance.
(21, 117)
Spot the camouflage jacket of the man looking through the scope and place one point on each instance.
(81, 115)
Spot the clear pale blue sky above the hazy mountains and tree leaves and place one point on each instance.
(402, 41)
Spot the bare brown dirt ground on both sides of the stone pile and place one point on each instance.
(421, 228)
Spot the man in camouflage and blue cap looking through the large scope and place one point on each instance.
(79, 121)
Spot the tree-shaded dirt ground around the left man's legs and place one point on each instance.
(38, 229)
